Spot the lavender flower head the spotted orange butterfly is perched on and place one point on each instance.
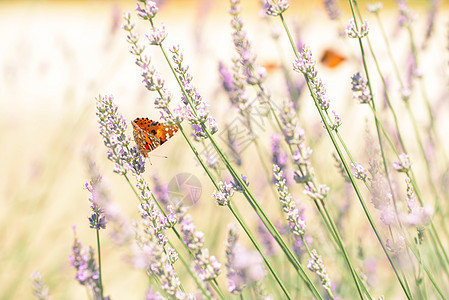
(112, 129)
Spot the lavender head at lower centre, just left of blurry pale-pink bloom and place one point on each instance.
(207, 267)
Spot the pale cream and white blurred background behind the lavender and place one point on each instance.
(56, 57)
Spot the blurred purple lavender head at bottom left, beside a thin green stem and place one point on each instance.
(82, 259)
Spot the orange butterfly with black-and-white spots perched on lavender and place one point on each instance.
(149, 134)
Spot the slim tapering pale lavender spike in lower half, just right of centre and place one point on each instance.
(295, 220)
